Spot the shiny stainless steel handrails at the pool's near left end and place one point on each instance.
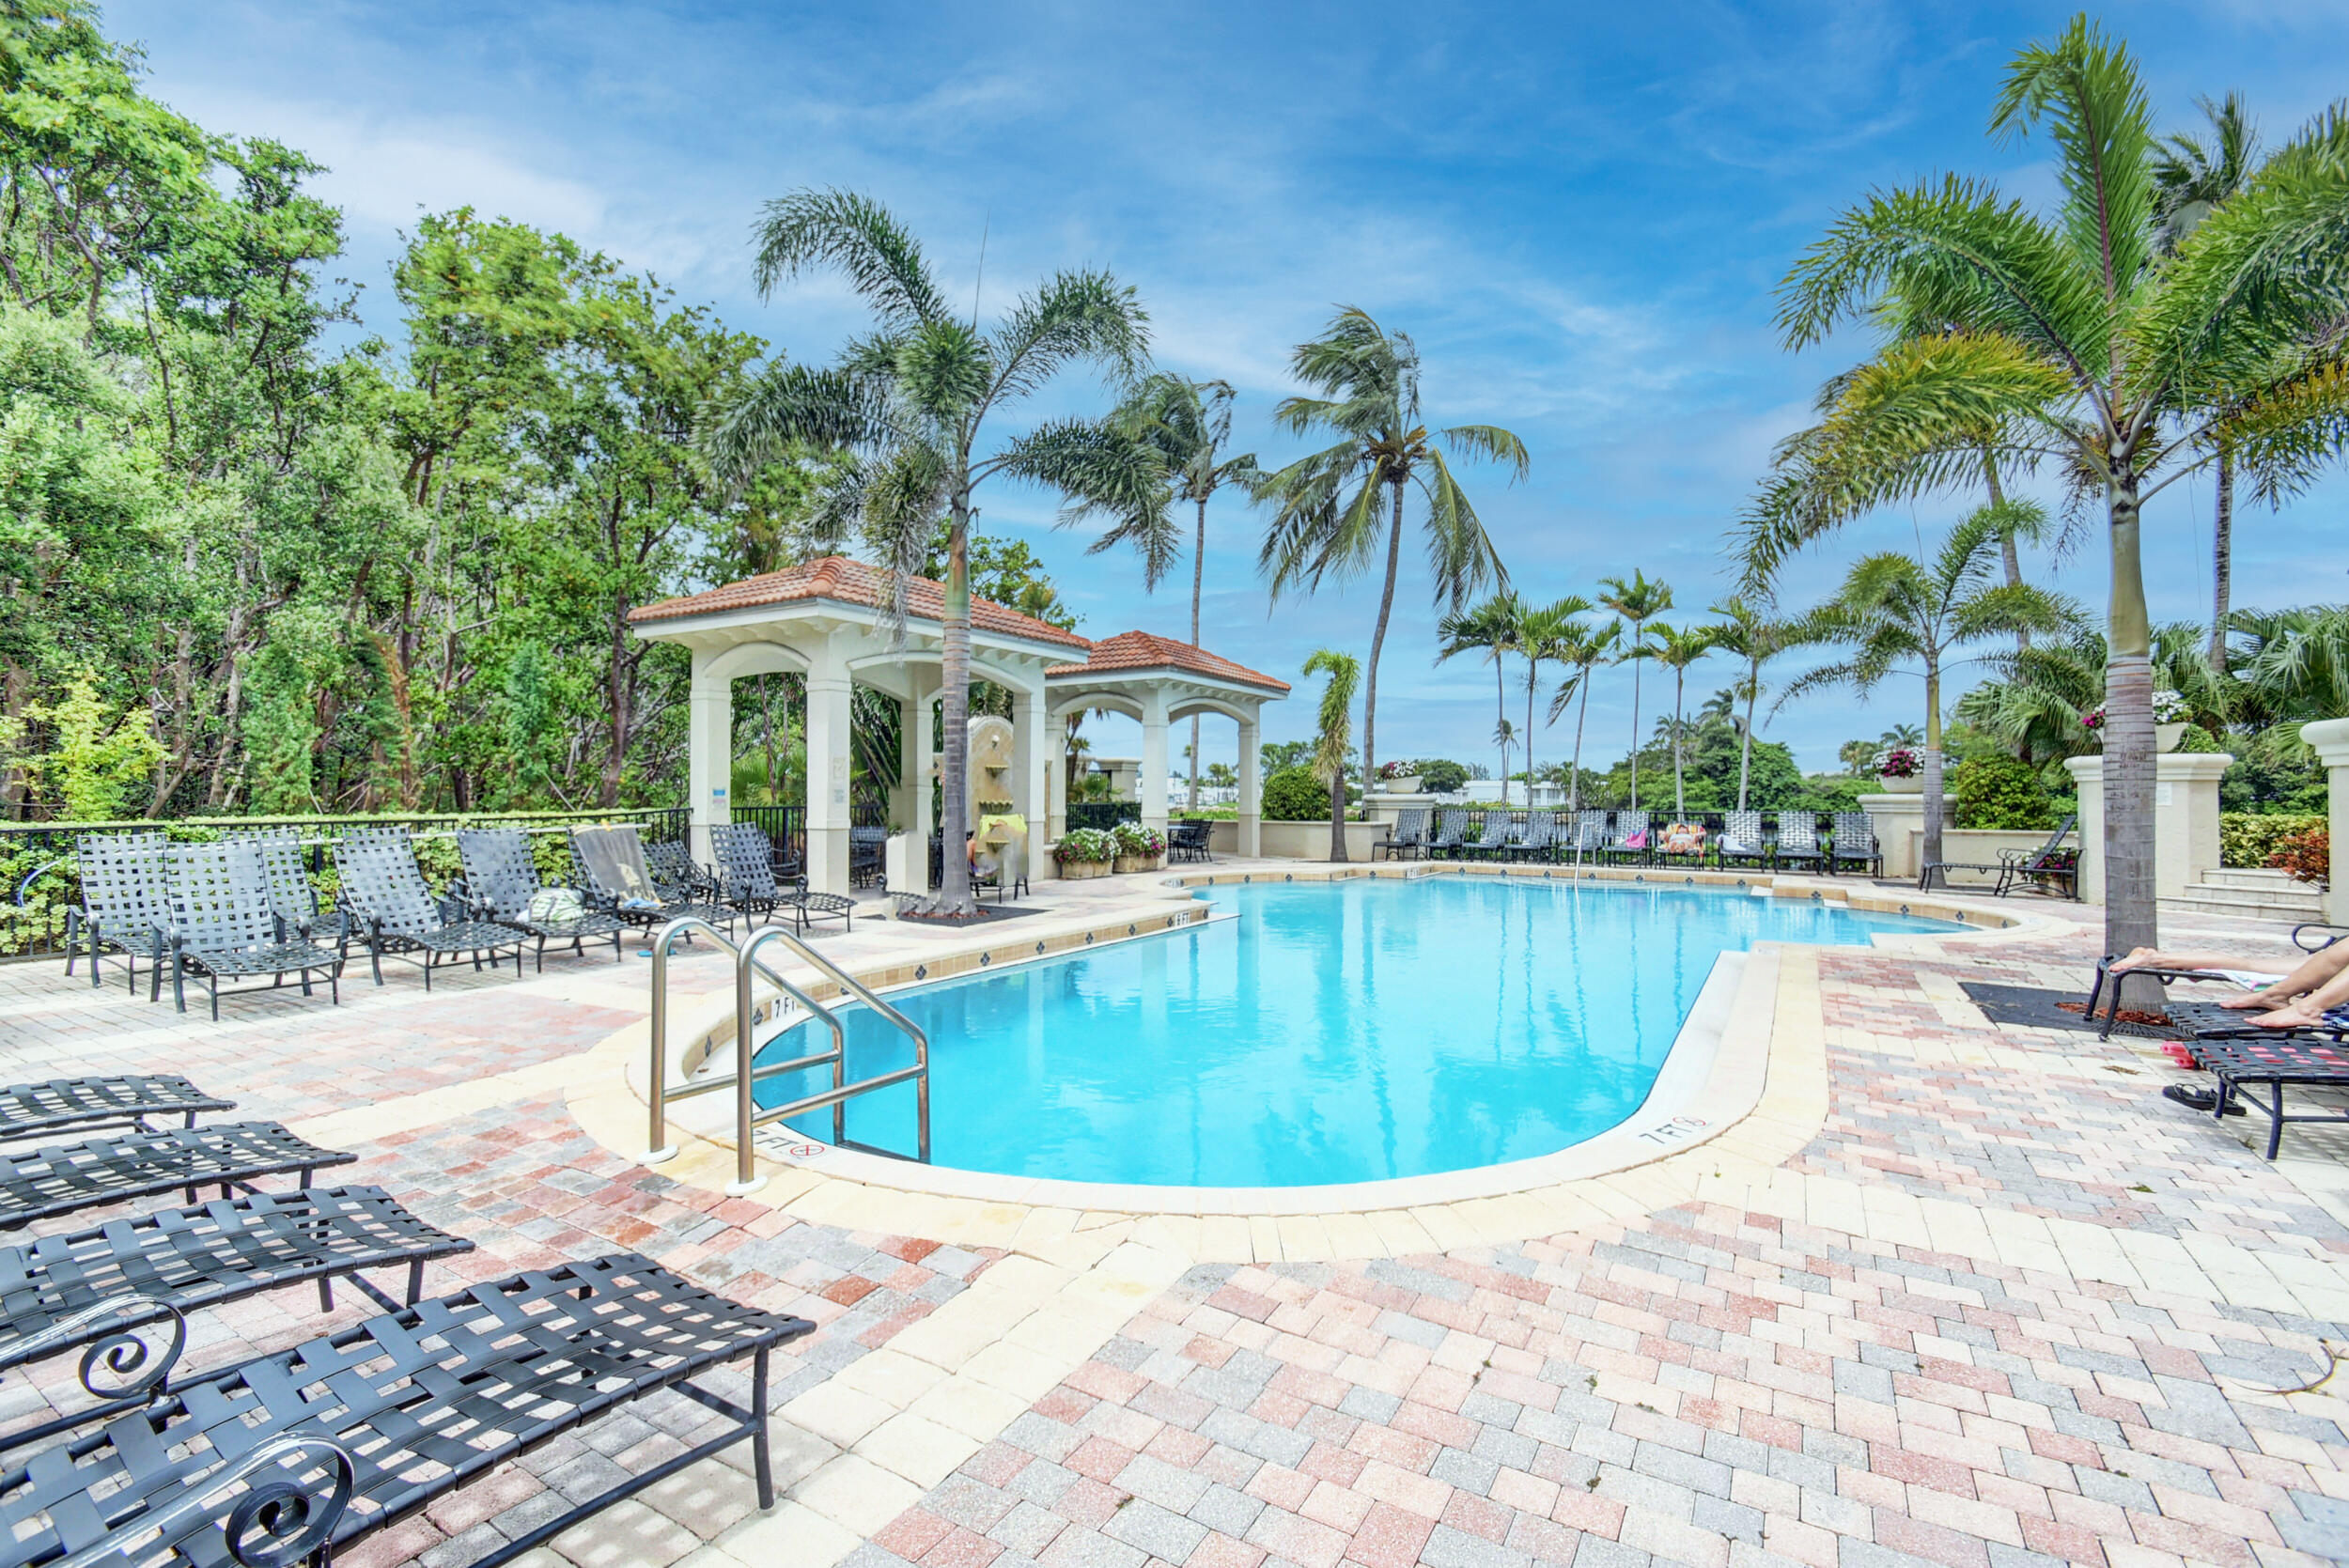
(743, 1083)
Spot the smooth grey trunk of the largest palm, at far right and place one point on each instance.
(2132, 919)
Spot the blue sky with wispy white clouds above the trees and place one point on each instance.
(1580, 219)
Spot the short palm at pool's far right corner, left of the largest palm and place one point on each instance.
(1902, 609)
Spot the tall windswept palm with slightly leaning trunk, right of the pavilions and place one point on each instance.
(1326, 508)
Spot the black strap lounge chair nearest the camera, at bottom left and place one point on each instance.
(424, 1403)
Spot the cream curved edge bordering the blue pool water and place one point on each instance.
(1761, 1102)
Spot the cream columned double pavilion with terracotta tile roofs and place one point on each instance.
(828, 623)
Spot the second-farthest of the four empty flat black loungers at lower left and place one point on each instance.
(67, 1177)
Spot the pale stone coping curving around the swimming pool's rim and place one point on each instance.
(1761, 1100)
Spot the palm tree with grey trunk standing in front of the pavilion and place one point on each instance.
(910, 403)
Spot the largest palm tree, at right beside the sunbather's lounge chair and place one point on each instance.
(2122, 372)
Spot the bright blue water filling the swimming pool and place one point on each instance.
(1331, 1034)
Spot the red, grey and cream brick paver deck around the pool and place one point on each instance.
(2005, 1309)
